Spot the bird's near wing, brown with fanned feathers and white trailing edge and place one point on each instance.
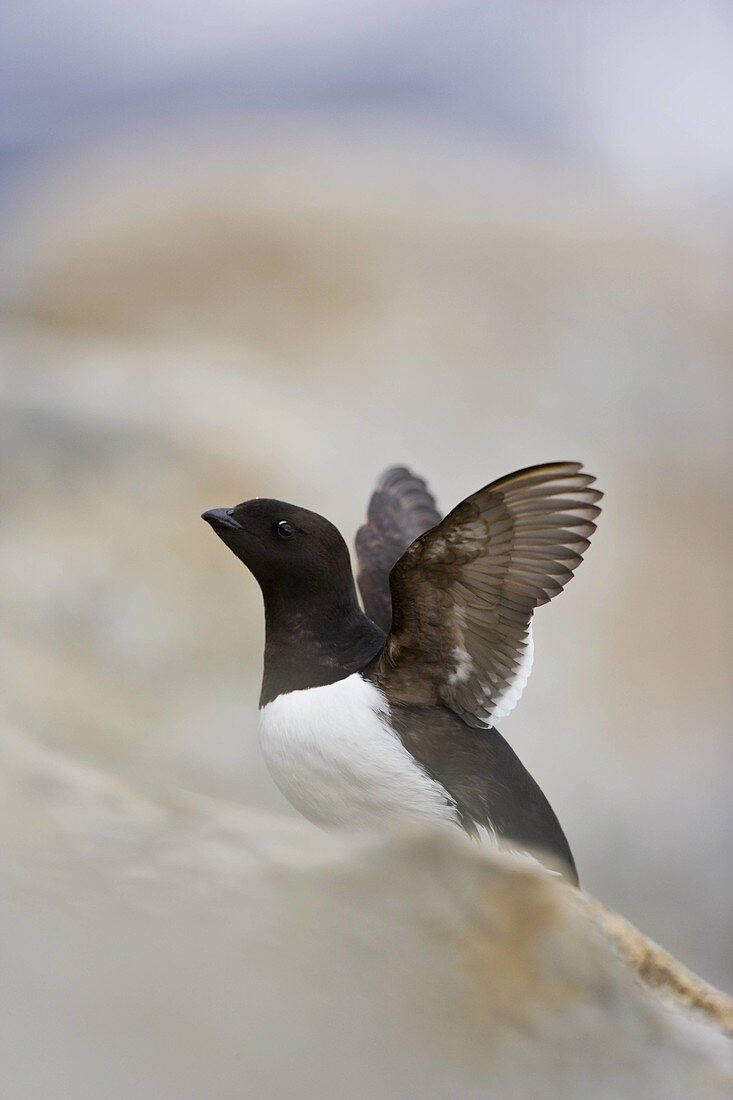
(464, 593)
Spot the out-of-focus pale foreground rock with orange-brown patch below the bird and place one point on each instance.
(191, 950)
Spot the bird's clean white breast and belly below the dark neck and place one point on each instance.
(334, 755)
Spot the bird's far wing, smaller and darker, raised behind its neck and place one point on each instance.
(402, 509)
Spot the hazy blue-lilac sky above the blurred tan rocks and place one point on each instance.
(642, 86)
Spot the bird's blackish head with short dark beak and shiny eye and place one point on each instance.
(290, 551)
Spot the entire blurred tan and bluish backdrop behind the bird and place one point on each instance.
(270, 249)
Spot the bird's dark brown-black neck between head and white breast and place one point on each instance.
(312, 642)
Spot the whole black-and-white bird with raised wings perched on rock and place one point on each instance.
(385, 714)
